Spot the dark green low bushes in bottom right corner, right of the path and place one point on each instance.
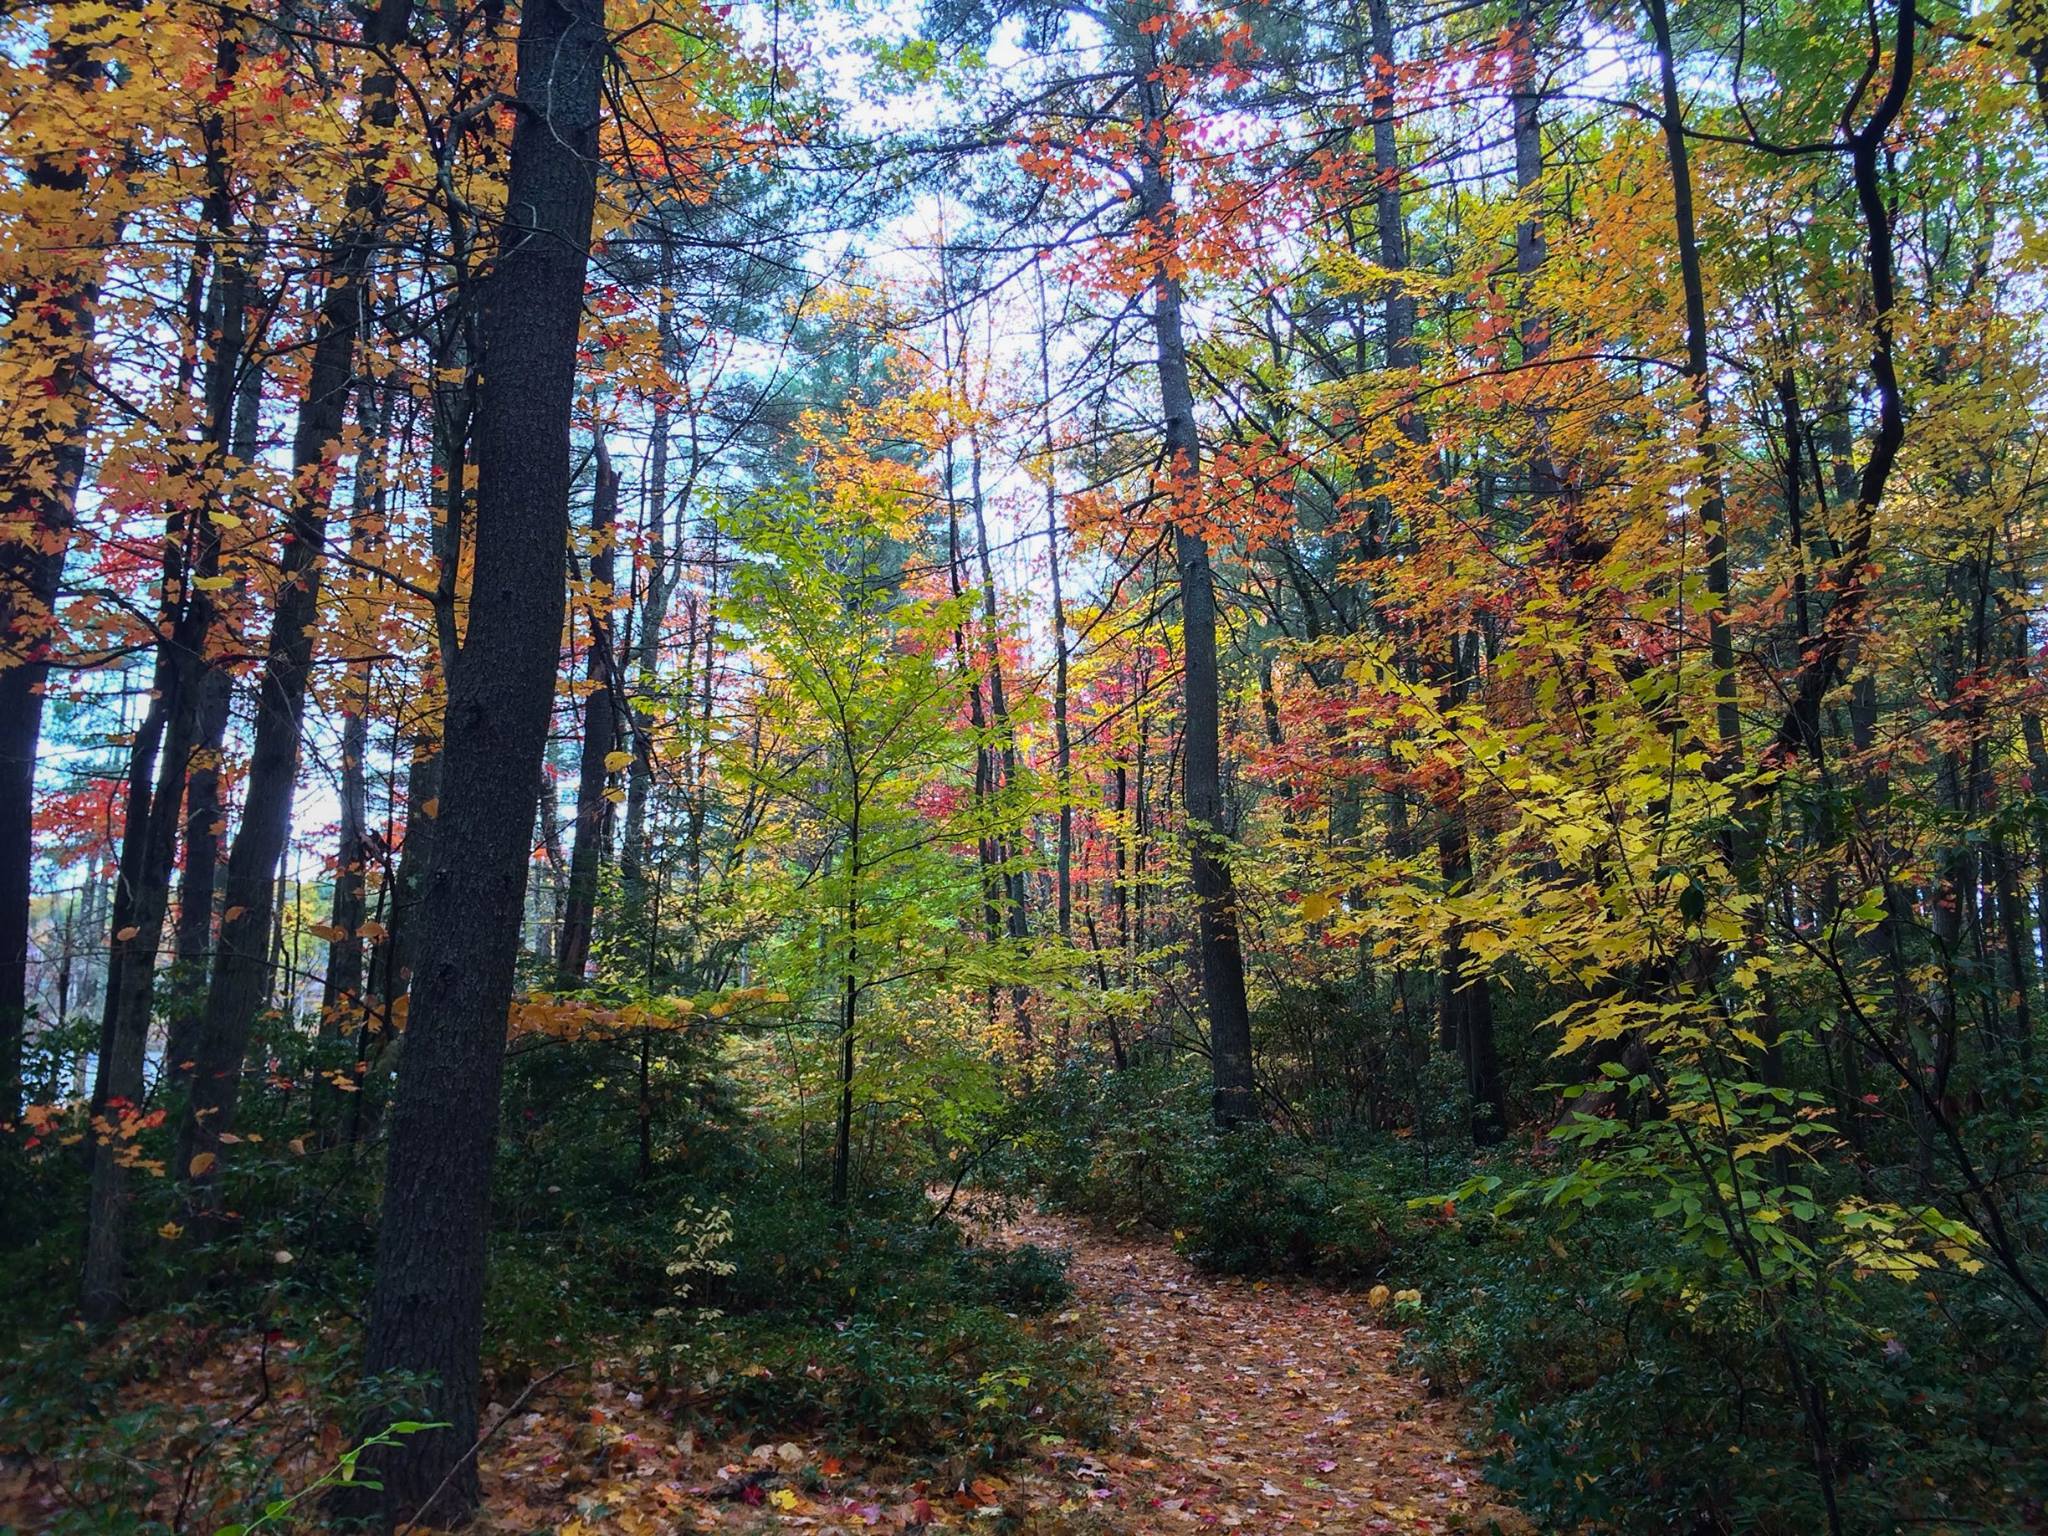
(1656, 1410)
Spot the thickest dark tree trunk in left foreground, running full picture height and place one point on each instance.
(427, 1312)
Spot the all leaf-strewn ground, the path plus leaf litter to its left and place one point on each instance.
(1242, 1406)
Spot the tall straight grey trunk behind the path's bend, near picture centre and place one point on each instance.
(1215, 892)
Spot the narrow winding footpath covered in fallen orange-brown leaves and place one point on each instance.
(1258, 1406)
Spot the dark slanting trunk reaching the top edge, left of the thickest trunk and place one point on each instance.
(243, 966)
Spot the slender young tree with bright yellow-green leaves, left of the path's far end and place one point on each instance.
(863, 699)
